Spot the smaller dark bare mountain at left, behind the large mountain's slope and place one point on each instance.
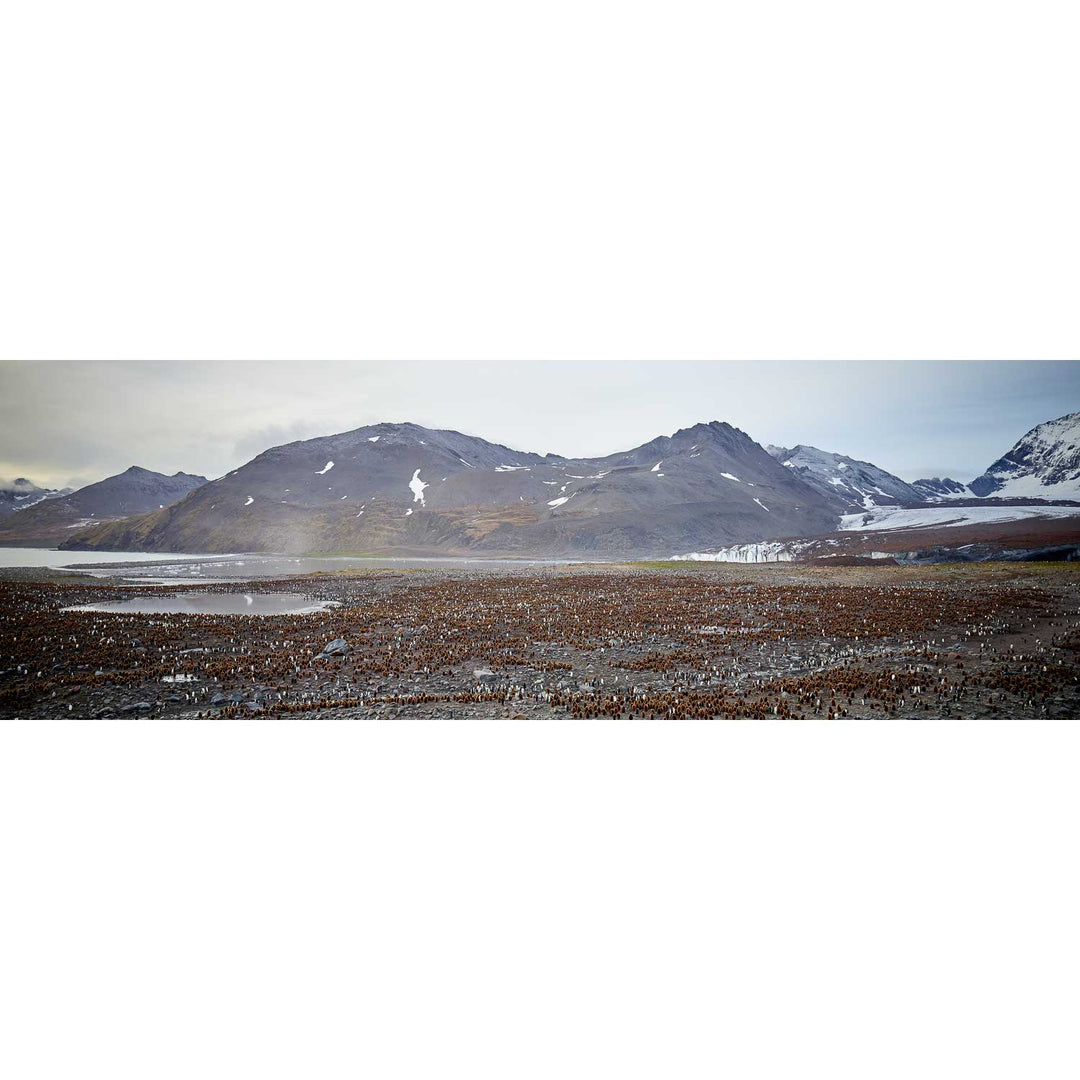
(133, 492)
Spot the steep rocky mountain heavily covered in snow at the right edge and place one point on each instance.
(1045, 465)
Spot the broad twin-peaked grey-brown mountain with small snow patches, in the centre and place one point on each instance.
(403, 489)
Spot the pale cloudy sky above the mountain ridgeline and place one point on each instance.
(73, 423)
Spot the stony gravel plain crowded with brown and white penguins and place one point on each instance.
(642, 641)
